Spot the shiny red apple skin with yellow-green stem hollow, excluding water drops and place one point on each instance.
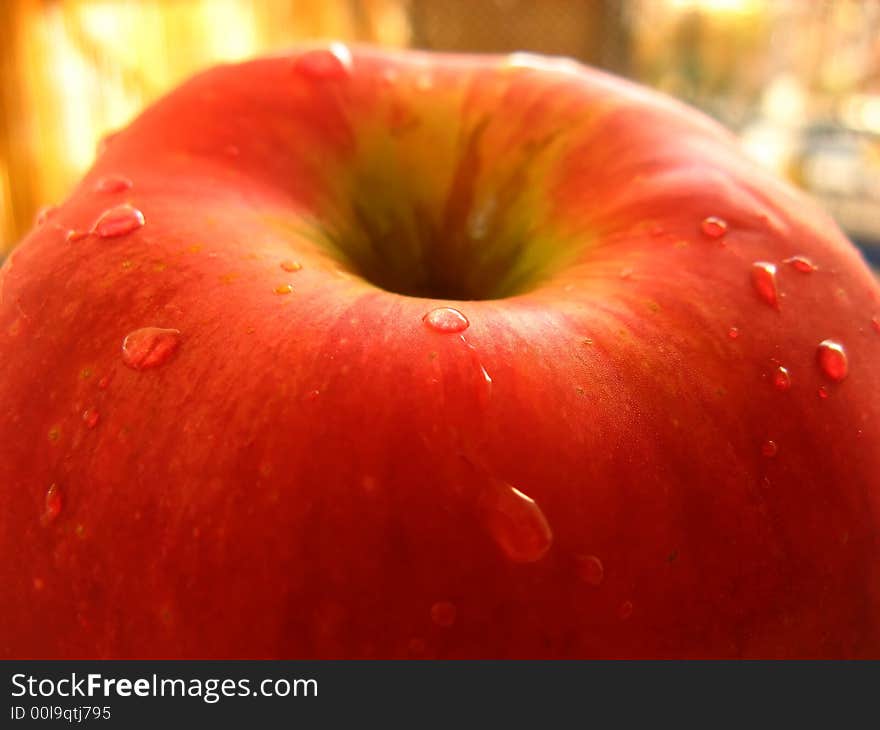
(319, 474)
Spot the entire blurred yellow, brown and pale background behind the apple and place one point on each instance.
(799, 80)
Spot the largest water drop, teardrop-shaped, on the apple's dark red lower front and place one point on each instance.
(516, 523)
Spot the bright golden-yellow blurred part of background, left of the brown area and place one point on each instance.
(73, 70)
